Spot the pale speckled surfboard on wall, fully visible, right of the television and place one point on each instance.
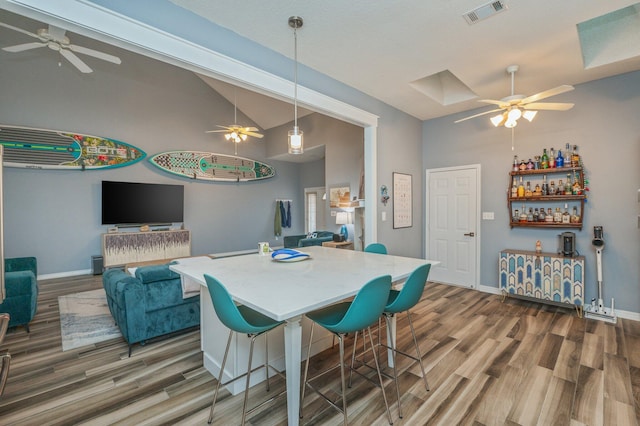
(211, 166)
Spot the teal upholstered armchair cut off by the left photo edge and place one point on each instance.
(21, 286)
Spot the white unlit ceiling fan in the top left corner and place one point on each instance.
(55, 39)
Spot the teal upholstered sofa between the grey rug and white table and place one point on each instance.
(150, 304)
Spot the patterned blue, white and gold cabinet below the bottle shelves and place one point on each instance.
(544, 276)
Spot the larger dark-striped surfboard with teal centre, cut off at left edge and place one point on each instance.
(55, 149)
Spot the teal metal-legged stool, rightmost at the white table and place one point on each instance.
(402, 301)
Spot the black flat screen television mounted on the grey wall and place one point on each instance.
(129, 203)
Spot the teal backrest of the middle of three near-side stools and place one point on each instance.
(366, 307)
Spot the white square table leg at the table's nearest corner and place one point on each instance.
(292, 357)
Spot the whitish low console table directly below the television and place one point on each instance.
(132, 247)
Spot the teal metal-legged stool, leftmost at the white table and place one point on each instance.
(242, 320)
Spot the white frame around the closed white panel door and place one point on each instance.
(478, 214)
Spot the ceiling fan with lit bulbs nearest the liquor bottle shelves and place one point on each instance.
(515, 106)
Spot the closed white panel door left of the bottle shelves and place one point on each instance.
(452, 224)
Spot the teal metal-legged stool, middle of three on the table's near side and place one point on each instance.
(349, 317)
